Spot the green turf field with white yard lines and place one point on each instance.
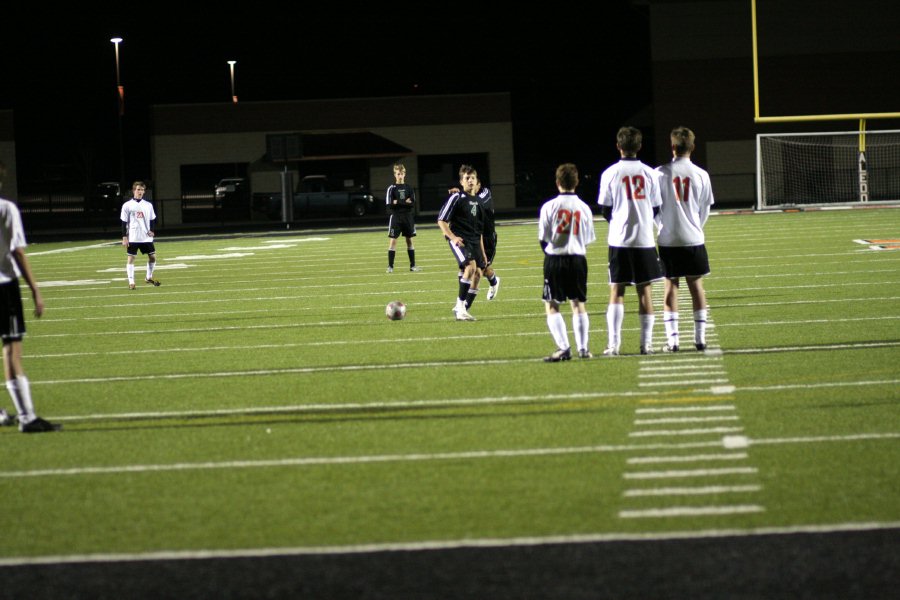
(260, 401)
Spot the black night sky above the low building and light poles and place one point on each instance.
(574, 79)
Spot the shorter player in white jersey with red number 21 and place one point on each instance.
(565, 228)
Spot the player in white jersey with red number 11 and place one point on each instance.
(687, 197)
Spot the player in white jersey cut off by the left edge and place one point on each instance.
(14, 264)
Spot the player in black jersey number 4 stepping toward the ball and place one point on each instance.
(461, 220)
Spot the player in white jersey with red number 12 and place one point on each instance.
(629, 200)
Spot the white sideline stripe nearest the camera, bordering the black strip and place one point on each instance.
(578, 538)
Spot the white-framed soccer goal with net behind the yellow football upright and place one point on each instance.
(806, 169)
